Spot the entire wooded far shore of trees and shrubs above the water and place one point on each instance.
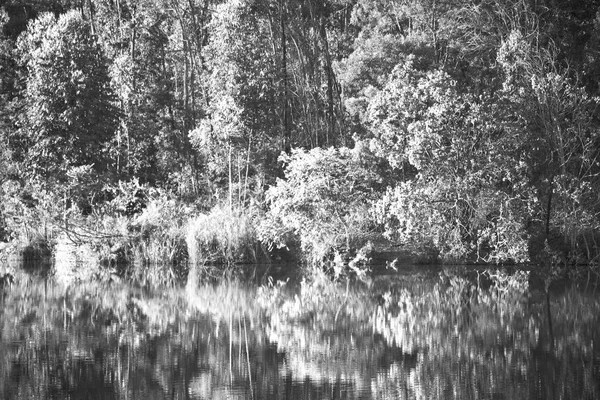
(194, 131)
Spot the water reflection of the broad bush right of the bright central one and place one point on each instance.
(454, 304)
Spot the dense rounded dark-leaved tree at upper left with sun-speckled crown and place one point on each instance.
(69, 116)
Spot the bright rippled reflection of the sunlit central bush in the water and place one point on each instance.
(319, 328)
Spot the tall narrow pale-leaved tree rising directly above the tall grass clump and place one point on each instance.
(241, 121)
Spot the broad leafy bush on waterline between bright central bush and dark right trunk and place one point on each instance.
(454, 221)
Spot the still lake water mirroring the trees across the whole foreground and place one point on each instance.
(396, 339)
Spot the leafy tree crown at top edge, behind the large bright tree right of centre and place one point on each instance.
(387, 32)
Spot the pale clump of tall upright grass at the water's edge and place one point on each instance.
(222, 236)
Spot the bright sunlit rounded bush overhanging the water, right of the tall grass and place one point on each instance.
(323, 203)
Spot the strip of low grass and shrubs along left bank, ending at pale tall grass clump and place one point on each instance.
(153, 243)
